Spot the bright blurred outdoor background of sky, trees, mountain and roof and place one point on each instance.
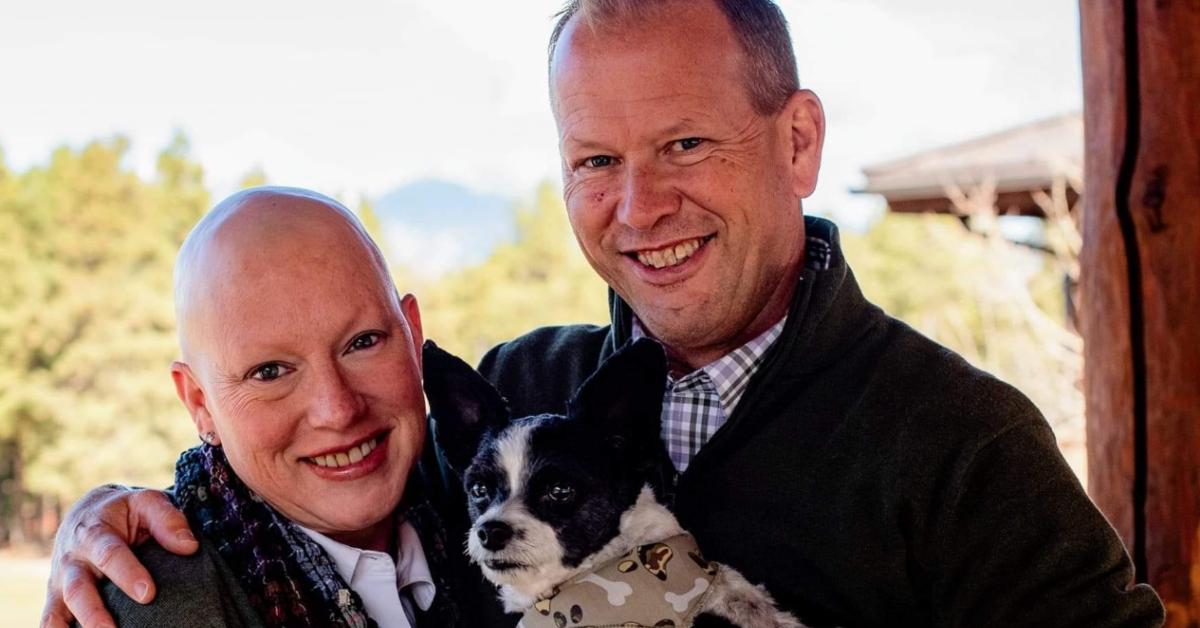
(953, 165)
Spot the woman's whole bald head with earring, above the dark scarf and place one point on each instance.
(297, 346)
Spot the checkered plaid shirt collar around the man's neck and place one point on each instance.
(731, 374)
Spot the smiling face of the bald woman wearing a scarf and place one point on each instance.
(311, 380)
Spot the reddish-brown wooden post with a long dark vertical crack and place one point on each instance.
(1141, 314)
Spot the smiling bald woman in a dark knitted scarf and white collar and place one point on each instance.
(301, 369)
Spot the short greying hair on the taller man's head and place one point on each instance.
(760, 27)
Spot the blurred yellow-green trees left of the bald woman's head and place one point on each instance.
(87, 331)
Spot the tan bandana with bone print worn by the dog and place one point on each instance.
(659, 585)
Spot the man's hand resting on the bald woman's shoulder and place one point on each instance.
(95, 541)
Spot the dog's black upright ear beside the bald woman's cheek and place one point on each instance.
(465, 406)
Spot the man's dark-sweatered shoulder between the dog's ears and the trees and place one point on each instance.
(541, 370)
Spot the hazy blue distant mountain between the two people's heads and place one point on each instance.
(434, 226)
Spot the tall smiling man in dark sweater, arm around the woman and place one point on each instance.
(862, 474)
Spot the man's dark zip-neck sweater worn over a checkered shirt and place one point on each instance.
(871, 477)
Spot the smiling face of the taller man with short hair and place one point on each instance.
(682, 196)
